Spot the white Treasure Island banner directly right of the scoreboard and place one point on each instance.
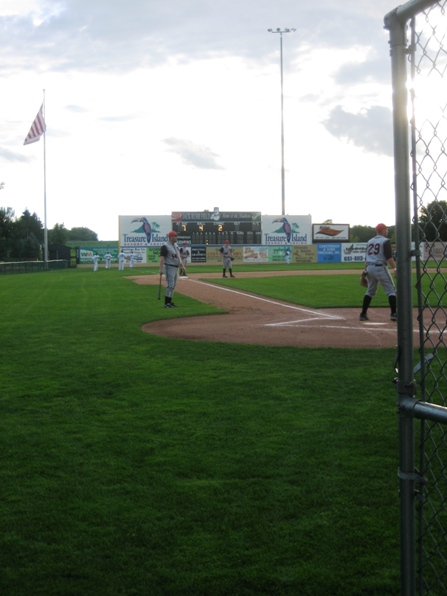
(290, 229)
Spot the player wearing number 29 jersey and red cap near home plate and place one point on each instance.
(378, 256)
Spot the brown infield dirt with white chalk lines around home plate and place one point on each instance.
(252, 319)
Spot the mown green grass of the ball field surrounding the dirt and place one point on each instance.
(140, 465)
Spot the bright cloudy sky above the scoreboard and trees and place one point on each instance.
(155, 106)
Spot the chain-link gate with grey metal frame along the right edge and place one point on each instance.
(418, 45)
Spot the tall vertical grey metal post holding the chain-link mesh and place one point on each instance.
(405, 382)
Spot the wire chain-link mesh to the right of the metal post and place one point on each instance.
(428, 59)
